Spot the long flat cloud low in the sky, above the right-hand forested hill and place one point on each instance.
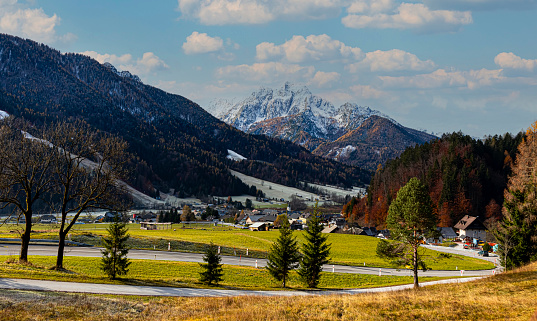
(471, 79)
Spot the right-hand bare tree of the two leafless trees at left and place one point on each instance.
(87, 168)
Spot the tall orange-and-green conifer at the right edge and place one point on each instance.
(517, 233)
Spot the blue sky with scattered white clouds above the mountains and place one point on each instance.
(435, 65)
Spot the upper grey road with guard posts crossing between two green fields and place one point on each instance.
(47, 250)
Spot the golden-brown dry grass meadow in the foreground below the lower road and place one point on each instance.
(506, 296)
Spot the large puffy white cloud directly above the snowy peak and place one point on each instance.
(311, 48)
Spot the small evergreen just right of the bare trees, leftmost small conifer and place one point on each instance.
(114, 261)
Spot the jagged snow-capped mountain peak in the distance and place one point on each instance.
(297, 107)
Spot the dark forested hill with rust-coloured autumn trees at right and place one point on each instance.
(463, 176)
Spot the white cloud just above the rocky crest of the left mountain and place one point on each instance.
(148, 63)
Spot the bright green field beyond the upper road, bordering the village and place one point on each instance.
(346, 249)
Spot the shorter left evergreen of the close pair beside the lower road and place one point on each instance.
(284, 255)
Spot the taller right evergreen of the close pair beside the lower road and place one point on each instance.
(315, 251)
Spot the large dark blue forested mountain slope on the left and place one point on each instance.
(174, 142)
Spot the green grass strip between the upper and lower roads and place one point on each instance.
(183, 274)
